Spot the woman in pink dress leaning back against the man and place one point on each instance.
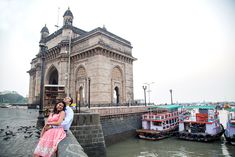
(50, 137)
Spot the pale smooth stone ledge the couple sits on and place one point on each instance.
(70, 147)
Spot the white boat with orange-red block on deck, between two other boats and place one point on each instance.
(200, 123)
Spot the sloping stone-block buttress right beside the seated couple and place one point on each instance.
(87, 129)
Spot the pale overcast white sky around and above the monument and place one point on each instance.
(184, 45)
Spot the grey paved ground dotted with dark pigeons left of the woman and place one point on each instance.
(18, 134)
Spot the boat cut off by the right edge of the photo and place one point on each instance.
(229, 133)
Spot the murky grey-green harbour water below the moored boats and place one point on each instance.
(172, 147)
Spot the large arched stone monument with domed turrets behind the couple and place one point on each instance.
(93, 67)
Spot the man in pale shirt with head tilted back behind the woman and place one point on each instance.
(68, 114)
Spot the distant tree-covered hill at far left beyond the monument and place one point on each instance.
(12, 97)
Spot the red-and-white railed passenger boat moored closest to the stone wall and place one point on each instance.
(159, 122)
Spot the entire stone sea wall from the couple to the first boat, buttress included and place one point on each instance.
(95, 132)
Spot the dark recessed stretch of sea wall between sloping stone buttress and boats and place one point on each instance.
(119, 127)
